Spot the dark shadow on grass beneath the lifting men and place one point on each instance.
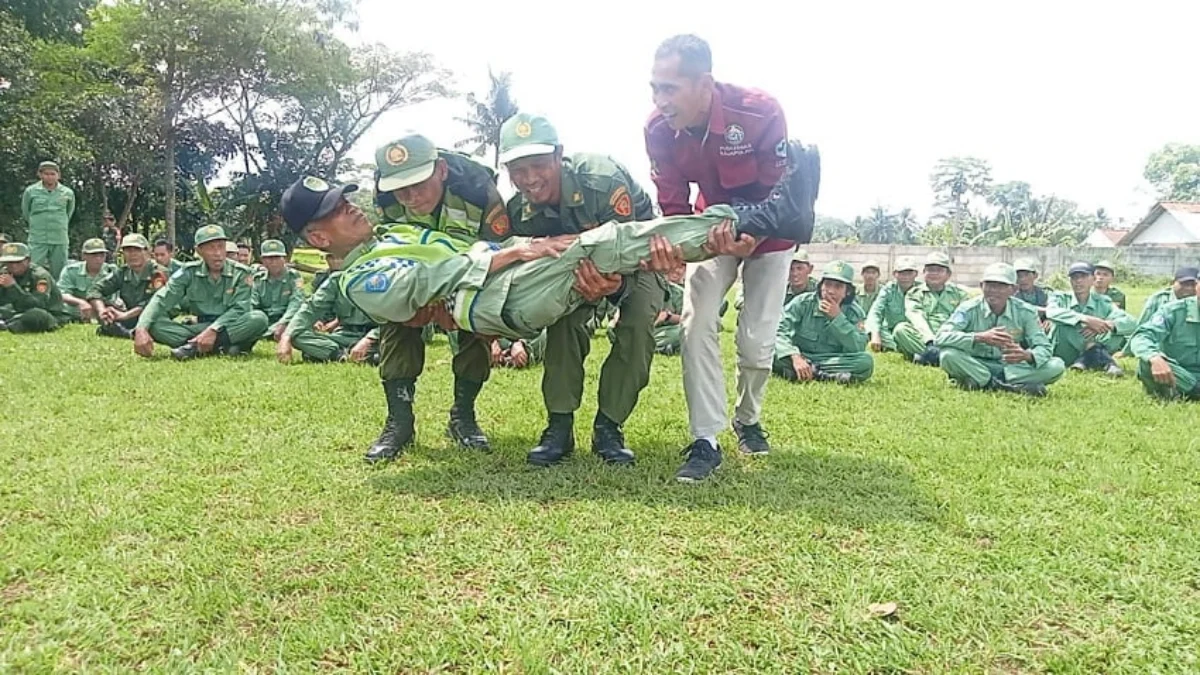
(838, 489)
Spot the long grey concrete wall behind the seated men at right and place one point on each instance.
(970, 261)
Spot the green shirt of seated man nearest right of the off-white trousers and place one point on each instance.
(806, 330)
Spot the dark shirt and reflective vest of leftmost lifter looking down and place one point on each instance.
(472, 207)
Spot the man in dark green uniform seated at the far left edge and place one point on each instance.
(31, 302)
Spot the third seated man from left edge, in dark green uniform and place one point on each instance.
(135, 283)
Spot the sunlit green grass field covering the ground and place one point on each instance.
(217, 516)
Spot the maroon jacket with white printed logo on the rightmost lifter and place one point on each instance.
(743, 154)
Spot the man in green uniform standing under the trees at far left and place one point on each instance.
(49, 207)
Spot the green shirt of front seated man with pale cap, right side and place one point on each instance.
(1019, 320)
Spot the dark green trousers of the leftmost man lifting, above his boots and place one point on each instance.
(403, 354)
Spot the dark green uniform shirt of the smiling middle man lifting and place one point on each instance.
(596, 190)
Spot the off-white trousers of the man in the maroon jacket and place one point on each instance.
(765, 284)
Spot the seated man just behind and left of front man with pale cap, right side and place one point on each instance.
(927, 307)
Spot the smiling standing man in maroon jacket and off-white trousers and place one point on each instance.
(733, 144)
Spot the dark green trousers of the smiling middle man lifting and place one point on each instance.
(627, 371)
